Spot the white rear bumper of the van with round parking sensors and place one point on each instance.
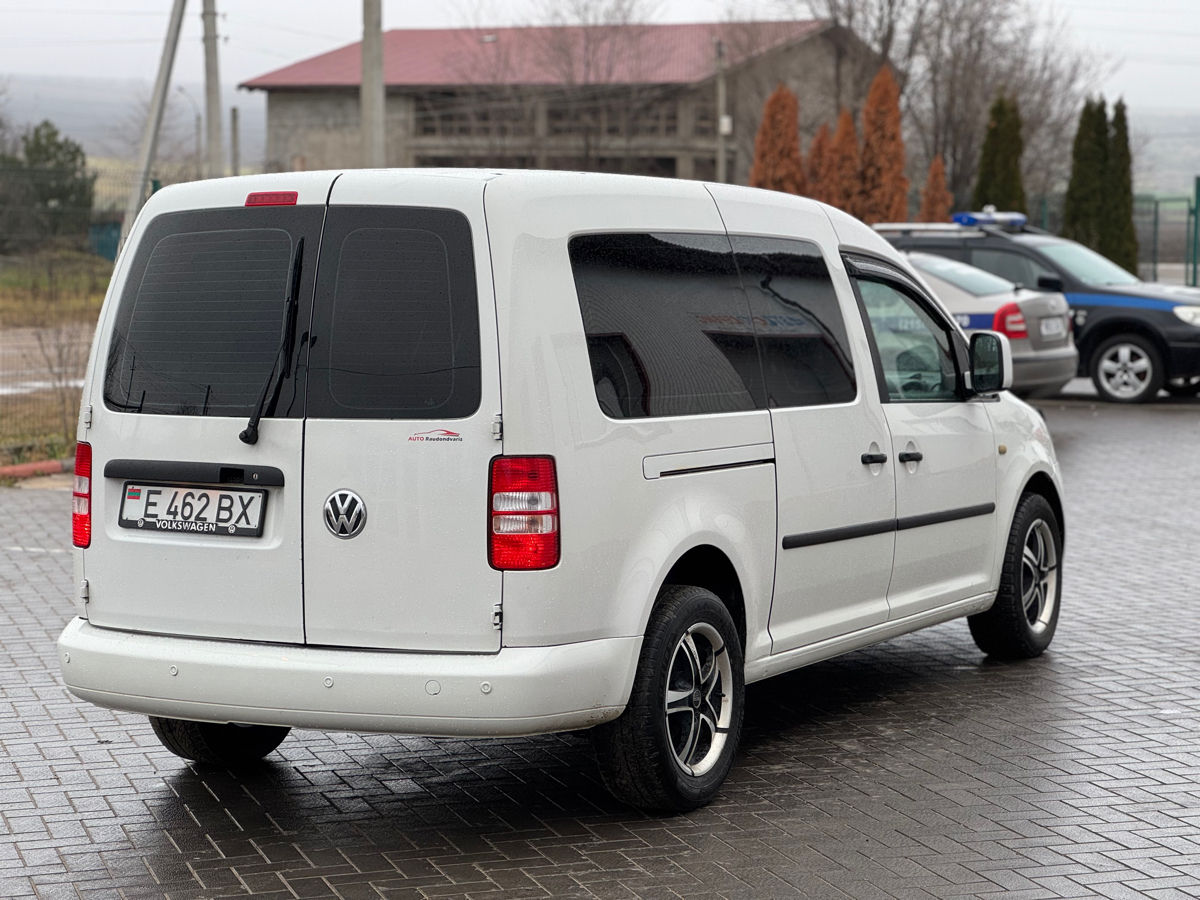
(520, 691)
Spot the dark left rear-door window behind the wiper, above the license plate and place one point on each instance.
(200, 322)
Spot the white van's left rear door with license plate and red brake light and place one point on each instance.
(194, 531)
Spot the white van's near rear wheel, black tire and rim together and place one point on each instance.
(674, 746)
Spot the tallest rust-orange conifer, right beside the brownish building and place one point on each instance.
(884, 188)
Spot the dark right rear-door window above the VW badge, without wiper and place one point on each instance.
(397, 327)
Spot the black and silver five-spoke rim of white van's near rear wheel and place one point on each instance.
(699, 704)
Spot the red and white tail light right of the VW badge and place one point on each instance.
(524, 513)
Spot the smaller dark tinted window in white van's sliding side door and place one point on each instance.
(799, 322)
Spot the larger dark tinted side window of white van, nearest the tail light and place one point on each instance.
(667, 323)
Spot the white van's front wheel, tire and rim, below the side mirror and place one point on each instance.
(1022, 622)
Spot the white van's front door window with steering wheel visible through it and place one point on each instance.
(915, 349)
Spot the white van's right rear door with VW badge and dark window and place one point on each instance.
(404, 394)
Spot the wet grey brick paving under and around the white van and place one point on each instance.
(913, 770)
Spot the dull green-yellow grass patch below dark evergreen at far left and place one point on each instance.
(52, 287)
